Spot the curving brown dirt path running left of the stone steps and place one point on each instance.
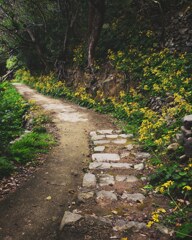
(26, 214)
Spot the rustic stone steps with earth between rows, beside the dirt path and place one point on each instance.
(112, 188)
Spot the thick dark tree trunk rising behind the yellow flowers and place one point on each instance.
(96, 20)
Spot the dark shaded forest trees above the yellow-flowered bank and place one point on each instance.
(54, 35)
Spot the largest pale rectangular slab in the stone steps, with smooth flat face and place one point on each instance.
(103, 157)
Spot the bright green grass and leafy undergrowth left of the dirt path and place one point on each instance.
(17, 146)
